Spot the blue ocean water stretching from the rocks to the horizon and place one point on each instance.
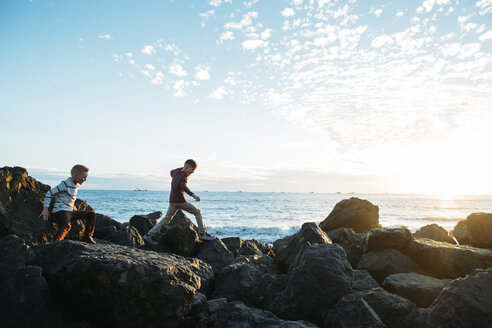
(270, 216)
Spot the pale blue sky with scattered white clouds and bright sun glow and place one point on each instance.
(299, 96)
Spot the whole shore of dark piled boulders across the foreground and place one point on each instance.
(346, 271)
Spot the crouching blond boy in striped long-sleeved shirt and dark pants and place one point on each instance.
(64, 210)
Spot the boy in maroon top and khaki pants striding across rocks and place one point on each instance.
(177, 202)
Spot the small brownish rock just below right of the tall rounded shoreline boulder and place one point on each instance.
(381, 238)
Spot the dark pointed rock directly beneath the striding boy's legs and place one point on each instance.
(181, 236)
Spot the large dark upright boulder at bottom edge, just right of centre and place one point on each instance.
(318, 277)
